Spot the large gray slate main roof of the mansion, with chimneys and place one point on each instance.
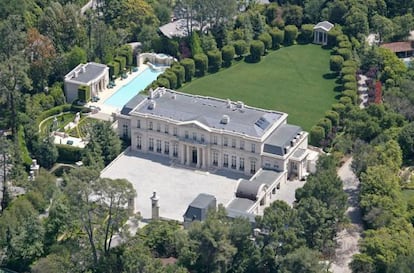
(208, 111)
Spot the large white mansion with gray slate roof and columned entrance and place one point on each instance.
(210, 133)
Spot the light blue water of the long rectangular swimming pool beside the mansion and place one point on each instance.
(129, 90)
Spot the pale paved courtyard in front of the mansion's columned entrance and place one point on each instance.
(175, 185)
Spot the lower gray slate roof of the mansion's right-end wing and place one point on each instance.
(280, 138)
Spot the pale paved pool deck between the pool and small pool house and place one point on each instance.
(107, 109)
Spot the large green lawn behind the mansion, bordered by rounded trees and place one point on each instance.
(288, 80)
